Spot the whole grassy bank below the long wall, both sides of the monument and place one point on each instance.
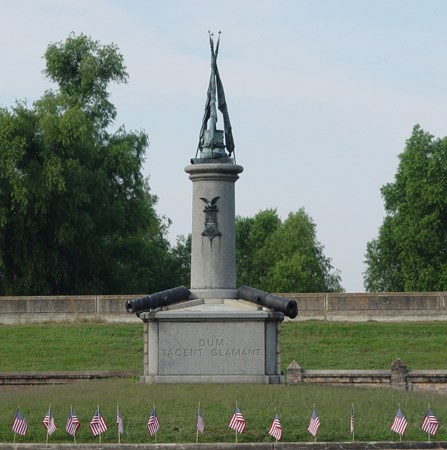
(314, 345)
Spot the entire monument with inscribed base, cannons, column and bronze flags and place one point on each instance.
(212, 332)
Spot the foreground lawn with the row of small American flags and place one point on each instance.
(177, 408)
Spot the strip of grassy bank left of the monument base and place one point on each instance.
(68, 346)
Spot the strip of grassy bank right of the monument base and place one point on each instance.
(368, 345)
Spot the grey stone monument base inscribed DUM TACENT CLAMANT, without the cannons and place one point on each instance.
(212, 341)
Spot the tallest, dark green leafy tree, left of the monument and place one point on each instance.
(76, 214)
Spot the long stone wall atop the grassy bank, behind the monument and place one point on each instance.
(391, 307)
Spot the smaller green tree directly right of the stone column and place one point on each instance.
(277, 256)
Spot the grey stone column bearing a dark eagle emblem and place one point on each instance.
(213, 247)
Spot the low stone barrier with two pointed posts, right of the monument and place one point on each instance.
(397, 377)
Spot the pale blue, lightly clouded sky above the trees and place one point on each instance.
(322, 95)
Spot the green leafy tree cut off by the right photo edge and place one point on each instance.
(410, 252)
